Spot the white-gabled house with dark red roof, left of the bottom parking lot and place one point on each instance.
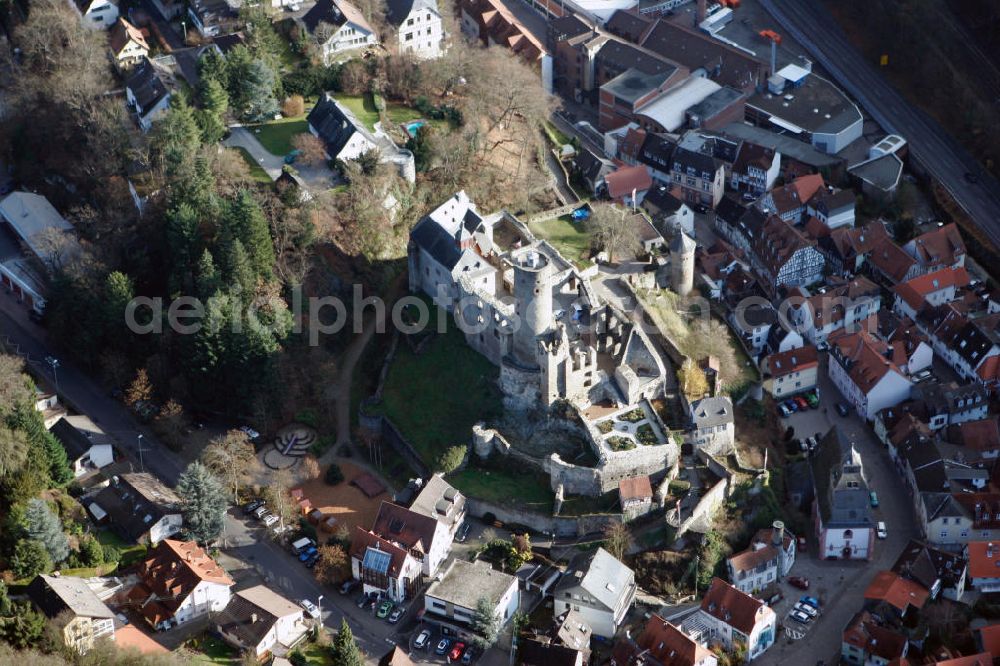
(728, 617)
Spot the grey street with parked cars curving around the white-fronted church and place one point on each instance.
(840, 585)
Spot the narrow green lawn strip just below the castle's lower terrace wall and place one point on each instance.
(506, 484)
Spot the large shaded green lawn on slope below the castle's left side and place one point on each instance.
(417, 397)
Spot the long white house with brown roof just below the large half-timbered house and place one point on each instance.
(842, 307)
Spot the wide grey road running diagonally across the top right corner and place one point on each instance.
(814, 27)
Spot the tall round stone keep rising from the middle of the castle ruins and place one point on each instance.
(533, 301)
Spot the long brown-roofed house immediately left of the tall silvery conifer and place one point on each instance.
(139, 507)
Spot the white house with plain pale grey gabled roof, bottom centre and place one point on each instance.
(598, 587)
